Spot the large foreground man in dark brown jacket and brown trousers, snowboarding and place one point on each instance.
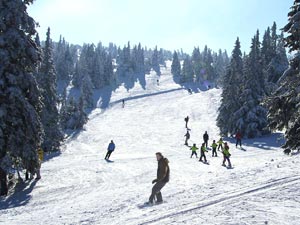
(163, 176)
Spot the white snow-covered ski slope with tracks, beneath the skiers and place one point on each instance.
(80, 187)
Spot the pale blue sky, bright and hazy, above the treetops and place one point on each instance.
(170, 24)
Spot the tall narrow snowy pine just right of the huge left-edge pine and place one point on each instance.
(49, 116)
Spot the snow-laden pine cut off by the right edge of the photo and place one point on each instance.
(283, 105)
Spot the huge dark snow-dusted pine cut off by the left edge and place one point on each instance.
(20, 126)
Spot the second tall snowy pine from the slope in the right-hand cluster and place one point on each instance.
(251, 118)
